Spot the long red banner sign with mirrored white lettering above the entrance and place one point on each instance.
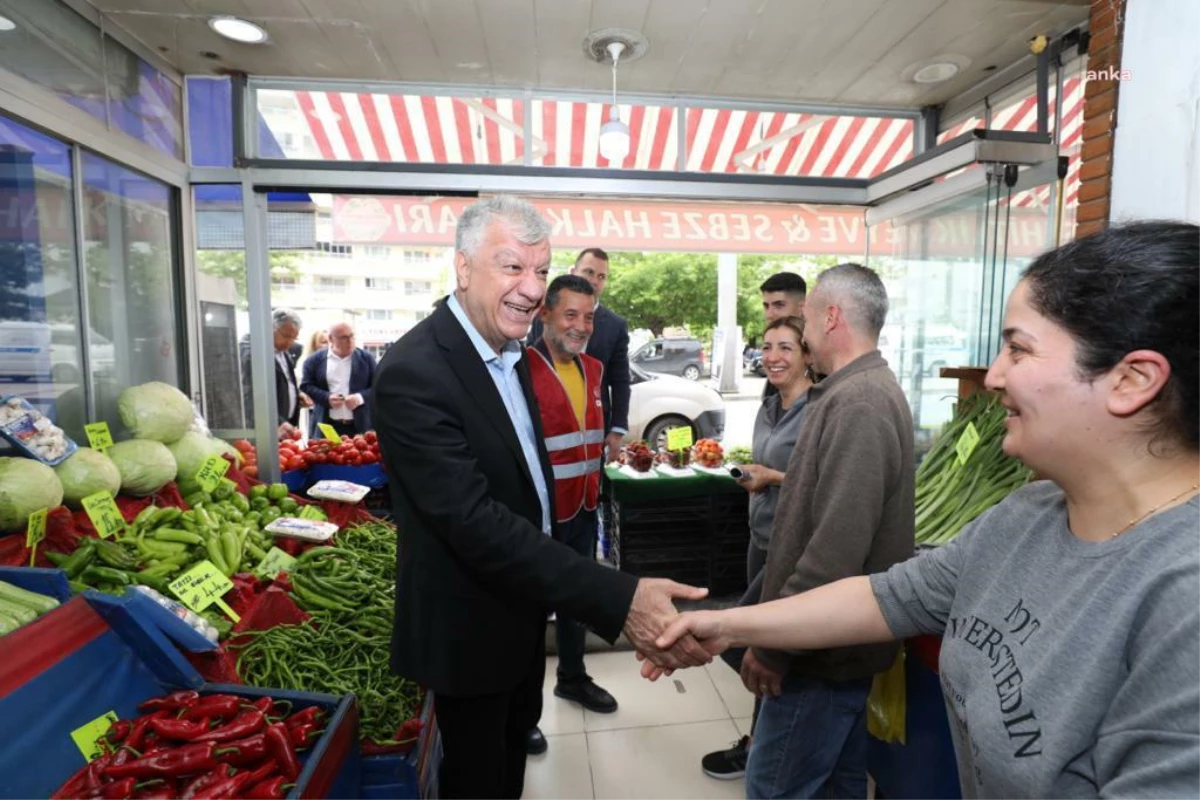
(697, 227)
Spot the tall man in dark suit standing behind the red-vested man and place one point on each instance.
(609, 345)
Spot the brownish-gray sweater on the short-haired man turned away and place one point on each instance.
(847, 507)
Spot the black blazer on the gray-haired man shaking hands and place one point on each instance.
(476, 578)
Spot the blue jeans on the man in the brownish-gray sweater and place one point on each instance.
(811, 742)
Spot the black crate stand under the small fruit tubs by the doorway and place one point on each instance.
(689, 530)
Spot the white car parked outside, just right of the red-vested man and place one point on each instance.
(658, 404)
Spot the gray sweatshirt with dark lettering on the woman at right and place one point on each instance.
(1070, 669)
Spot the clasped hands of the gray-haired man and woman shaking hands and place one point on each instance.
(665, 640)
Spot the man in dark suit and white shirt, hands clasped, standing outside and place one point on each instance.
(339, 380)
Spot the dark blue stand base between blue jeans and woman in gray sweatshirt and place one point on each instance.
(925, 767)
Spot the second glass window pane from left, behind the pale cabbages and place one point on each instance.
(133, 285)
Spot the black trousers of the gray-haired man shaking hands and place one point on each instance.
(484, 738)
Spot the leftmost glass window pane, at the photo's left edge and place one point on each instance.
(41, 347)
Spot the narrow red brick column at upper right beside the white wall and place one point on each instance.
(1100, 117)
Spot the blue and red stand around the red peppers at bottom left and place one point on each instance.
(75, 665)
